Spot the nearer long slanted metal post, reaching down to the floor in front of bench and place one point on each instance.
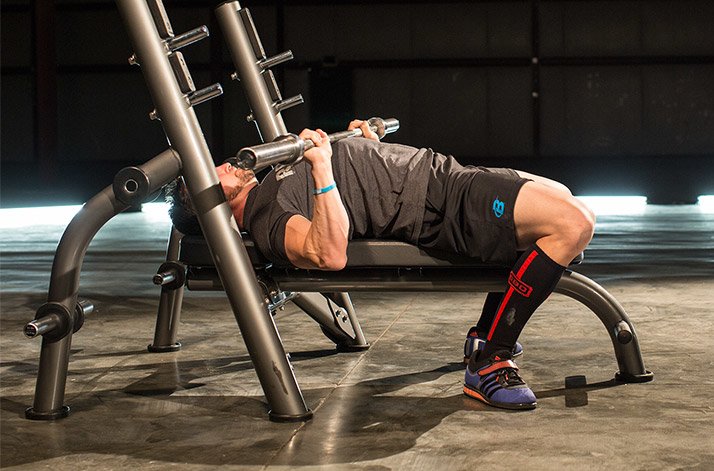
(219, 228)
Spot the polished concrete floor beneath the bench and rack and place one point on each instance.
(396, 406)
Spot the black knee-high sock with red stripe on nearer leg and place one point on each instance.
(531, 281)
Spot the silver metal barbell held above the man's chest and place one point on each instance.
(290, 149)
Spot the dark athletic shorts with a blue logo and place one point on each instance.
(469, 211)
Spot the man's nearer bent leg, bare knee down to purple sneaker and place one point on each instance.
(553, 228)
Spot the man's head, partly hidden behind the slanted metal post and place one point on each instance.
(235, 182)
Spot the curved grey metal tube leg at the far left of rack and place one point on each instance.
(64, 283)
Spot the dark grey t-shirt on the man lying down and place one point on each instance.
(382, 186)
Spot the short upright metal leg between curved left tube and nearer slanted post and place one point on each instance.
(170, 303)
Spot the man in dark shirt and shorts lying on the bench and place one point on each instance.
(364, 188)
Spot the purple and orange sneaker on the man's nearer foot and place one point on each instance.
(496, 382)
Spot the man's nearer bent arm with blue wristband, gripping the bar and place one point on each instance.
(322, 242)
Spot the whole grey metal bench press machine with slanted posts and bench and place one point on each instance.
(223, 259)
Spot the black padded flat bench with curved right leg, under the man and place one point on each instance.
(384, 265)
